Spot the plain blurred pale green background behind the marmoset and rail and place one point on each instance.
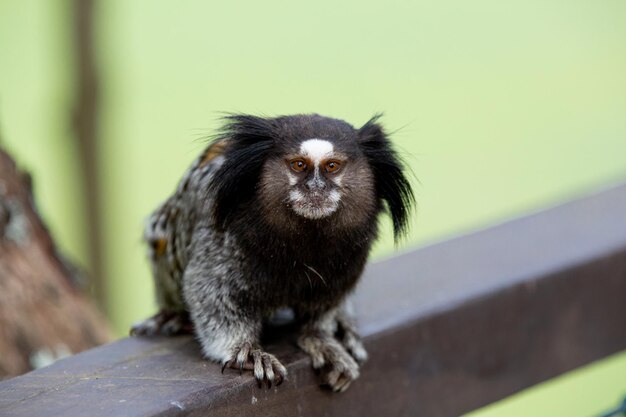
(500, 107)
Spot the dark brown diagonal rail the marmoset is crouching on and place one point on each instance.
(449, 328)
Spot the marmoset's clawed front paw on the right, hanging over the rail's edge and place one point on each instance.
(338, 367)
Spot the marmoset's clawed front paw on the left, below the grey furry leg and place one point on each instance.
(267, 369)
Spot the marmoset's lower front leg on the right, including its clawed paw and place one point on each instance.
(331, 341)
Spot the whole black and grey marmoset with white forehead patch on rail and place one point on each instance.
(277, 212)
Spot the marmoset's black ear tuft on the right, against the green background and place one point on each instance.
(391, 184)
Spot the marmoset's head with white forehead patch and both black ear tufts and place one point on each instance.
(309, 168)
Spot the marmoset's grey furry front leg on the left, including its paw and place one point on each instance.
(227, 334)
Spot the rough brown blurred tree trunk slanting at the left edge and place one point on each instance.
(43, 312)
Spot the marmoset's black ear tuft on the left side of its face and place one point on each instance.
(249, 139)
